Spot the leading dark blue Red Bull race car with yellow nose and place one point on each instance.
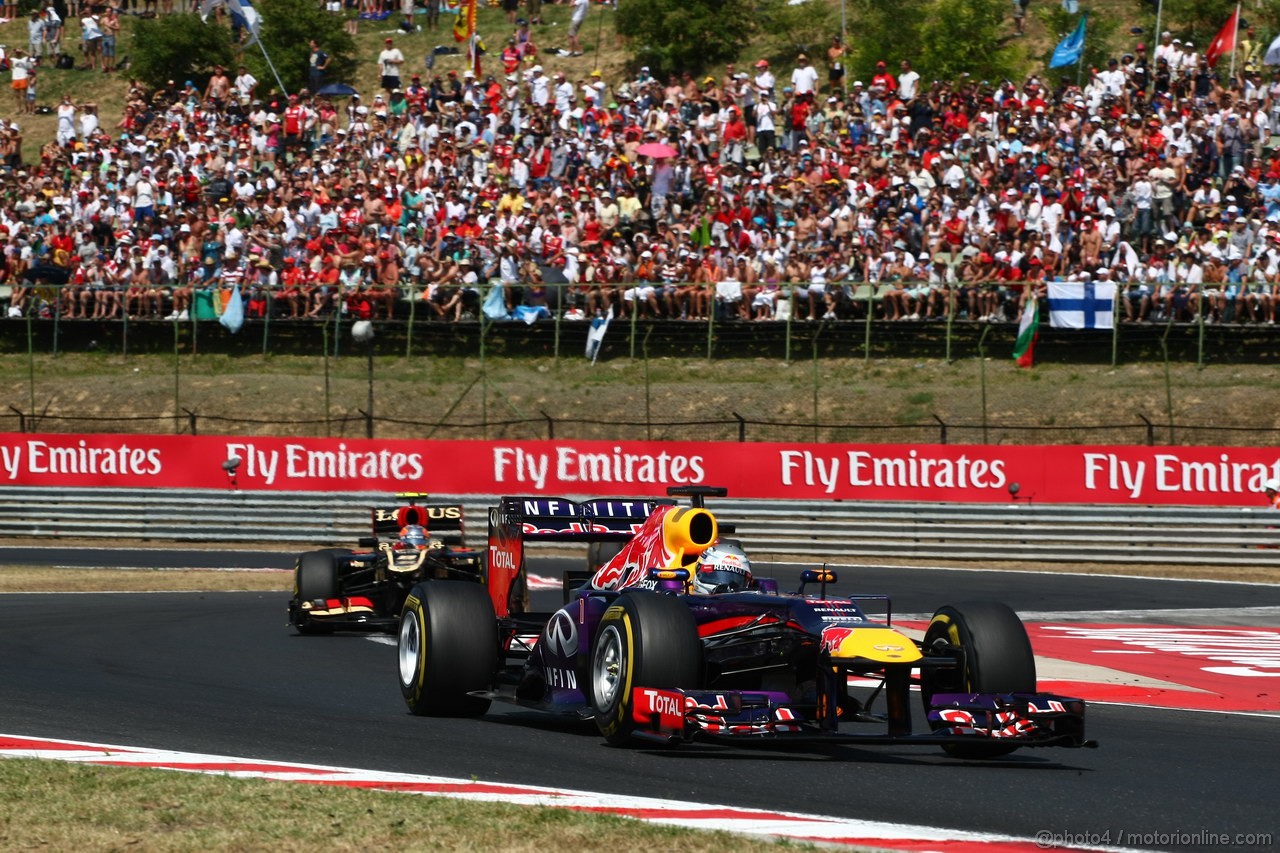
(674, 638)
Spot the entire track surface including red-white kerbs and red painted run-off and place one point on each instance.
(1183, 683)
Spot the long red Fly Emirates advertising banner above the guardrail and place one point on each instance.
(775, 471)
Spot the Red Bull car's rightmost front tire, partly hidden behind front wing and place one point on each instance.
(996, 659)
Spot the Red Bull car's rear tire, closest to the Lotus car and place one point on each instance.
(447, 649)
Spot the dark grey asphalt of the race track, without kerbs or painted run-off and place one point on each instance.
(221, 673)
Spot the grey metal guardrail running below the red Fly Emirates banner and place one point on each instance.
(807, 530)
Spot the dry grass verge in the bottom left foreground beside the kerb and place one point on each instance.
(49, 805)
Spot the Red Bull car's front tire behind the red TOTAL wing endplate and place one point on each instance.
(646, 640)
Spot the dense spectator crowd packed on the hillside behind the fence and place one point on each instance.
(751, 194)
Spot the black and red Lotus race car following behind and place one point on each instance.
(342, 590)
